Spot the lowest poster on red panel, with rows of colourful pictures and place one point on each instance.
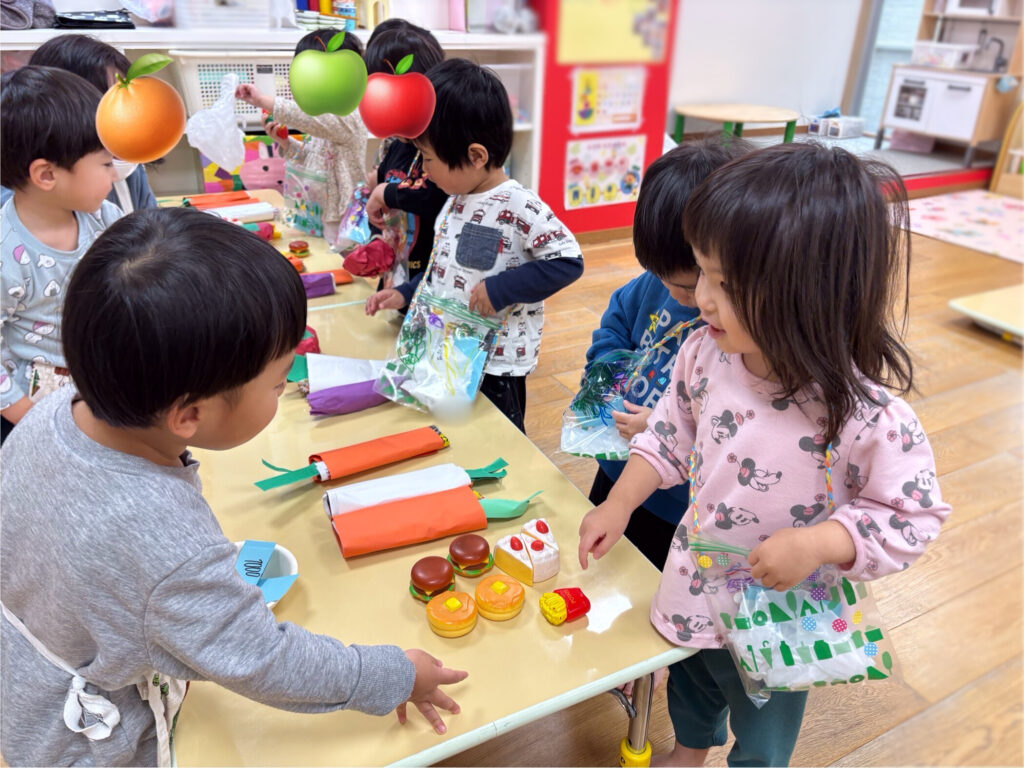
(604, 172)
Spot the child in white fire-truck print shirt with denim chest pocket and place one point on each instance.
(500, 249)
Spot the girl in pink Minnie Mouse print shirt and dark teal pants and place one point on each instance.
(800, 264)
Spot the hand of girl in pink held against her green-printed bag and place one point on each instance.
(790, 556)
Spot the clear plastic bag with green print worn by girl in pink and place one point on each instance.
(826, 631)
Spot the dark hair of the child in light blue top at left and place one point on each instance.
(46, 114)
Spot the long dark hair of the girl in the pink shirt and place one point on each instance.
(815, 250)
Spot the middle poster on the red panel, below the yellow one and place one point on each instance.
(608, 99)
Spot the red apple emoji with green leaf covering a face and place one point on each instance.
(399, 105)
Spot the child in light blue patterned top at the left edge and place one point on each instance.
(61, 175)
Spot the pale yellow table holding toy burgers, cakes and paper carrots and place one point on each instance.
(521, 670)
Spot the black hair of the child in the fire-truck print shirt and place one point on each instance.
(473, 108)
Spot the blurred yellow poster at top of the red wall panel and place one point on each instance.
(613, 31)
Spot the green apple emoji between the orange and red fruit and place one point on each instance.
(331, 81)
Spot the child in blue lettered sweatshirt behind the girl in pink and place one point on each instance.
(646, 310)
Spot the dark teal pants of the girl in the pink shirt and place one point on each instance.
(706, 689)
